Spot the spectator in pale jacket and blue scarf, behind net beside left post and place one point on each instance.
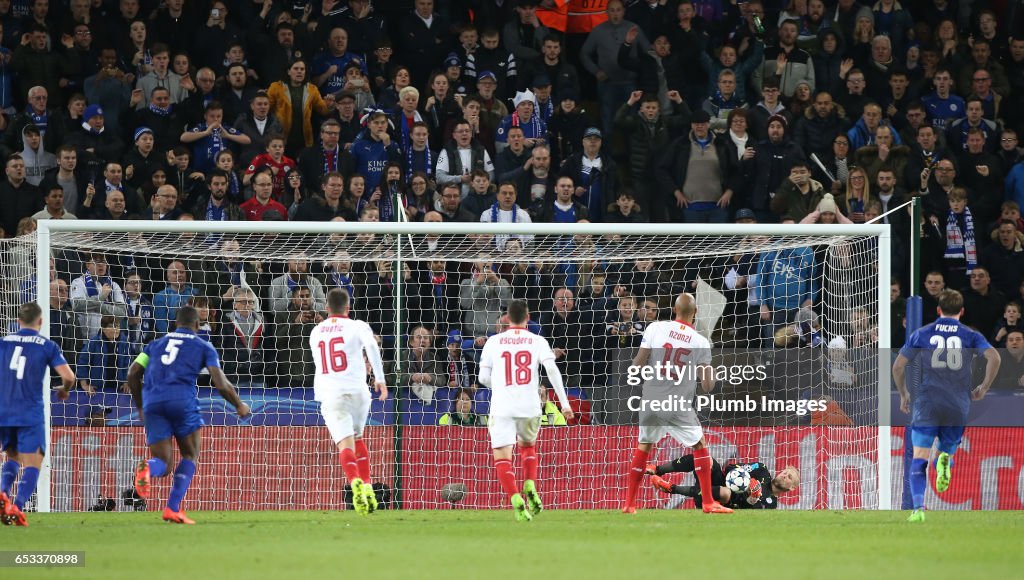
(95, 295)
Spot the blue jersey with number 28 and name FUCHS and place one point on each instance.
(945, 351)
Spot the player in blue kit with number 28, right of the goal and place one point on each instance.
(946, 351)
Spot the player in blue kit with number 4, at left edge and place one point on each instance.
(25, 362)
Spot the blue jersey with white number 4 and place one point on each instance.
(25, 361)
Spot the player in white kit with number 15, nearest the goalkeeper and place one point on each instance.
(688, 354)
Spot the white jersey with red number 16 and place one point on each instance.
(337, 346)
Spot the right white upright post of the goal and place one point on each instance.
(885, 416)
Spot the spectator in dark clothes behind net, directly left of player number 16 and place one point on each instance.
(295, 360)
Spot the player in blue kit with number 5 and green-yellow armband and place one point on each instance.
(168, 402)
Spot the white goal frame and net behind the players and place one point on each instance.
(794, 313)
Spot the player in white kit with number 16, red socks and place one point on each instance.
(340, 387)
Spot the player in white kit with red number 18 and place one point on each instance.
(509, 365)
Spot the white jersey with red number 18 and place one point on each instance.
(513, 360)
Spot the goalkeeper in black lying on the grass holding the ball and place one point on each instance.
(760, 494)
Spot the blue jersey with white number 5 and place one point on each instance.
(176, 362)
